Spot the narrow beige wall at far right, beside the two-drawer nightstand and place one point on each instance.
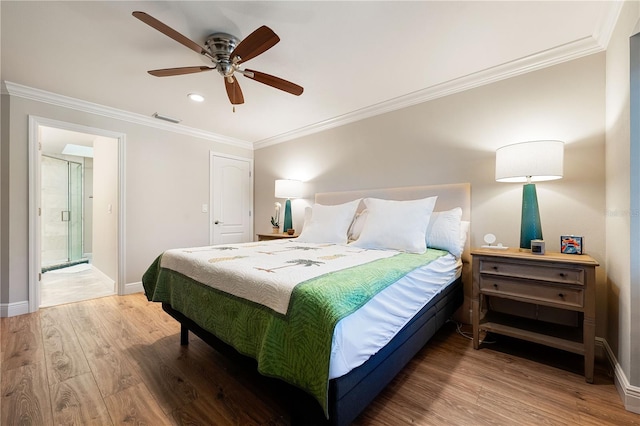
(623, 331)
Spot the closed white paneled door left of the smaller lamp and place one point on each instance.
(231, 200)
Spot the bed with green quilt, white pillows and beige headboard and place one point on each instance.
(356, 371)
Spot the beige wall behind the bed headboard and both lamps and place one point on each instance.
(453, 139)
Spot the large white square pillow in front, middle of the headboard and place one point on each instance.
(396, 225)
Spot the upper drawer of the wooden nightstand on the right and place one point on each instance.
(555, 273)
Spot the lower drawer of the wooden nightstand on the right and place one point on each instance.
(532, 292)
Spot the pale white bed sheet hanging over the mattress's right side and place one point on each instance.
(362, 334)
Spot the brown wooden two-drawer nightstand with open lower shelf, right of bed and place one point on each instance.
(561, 281)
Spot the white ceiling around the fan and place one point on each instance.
(354, 59)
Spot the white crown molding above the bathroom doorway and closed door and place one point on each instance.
(39, 95)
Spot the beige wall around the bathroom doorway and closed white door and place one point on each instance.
(167, 182)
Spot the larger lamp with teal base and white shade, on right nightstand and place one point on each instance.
(530, 162)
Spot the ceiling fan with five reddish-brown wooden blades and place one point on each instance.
(227, 54)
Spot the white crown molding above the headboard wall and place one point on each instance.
(574, 50)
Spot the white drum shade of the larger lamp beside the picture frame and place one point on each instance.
(537, 160)
